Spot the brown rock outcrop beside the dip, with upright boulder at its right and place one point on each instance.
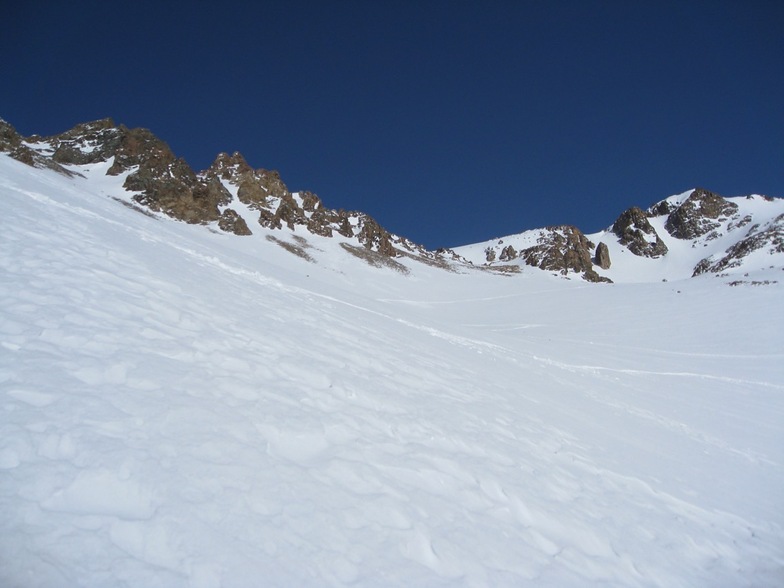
(562, 249)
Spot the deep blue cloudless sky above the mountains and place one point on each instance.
(450, 122)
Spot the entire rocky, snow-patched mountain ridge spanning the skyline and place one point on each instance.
(238, 199)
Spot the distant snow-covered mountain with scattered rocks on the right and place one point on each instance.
(689, 234)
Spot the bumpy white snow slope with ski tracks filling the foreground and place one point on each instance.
(180, 407)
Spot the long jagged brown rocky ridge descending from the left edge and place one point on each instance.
(164, 183)
